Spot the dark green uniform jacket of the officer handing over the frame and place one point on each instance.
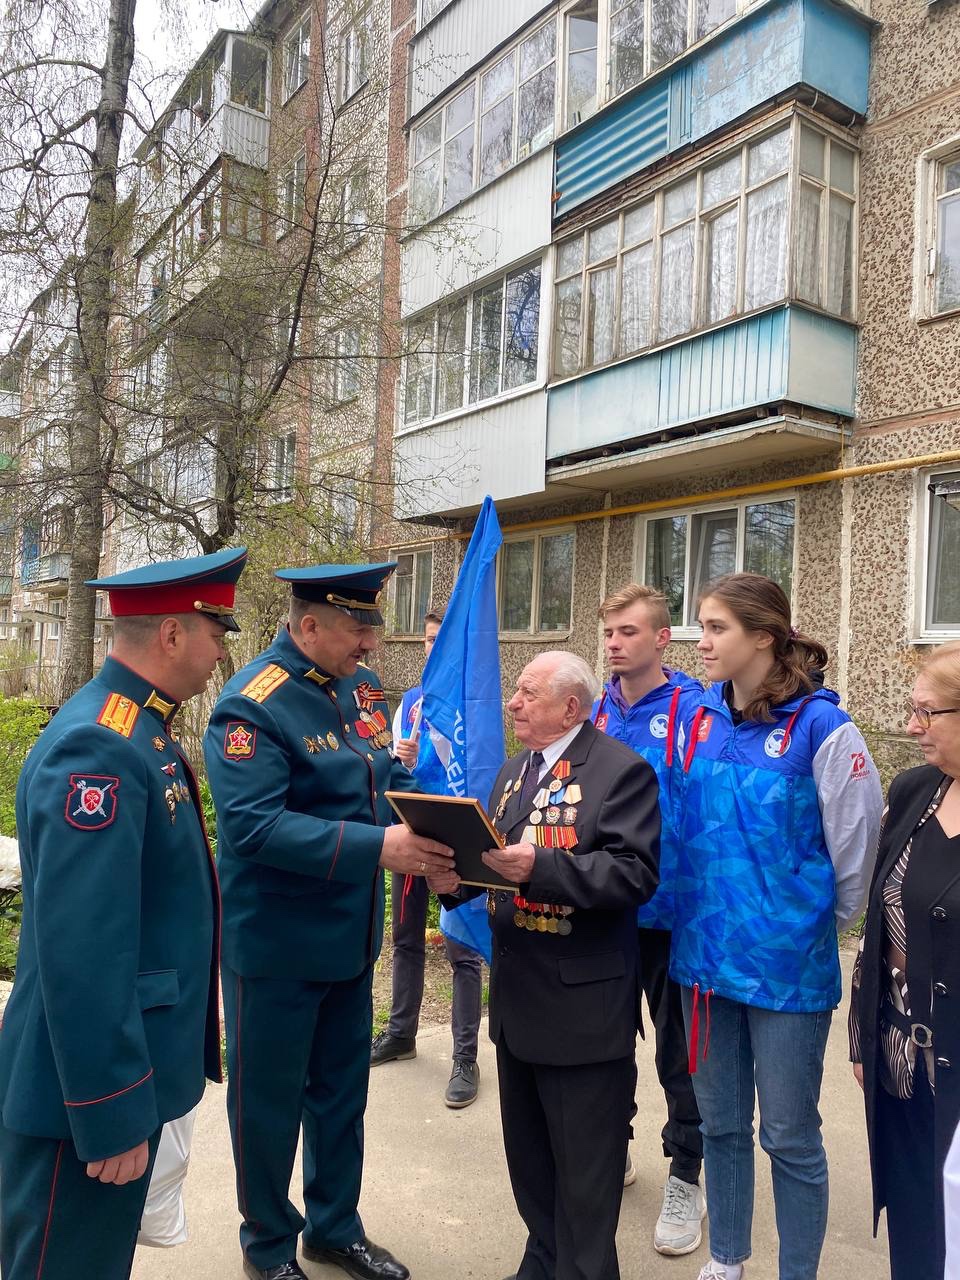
(299, 766)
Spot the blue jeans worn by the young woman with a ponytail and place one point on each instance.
(781, 1055)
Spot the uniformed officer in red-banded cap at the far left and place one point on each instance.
(115, 1016)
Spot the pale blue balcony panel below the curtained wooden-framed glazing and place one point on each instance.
(787, 355)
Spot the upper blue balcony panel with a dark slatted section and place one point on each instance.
(771, 49)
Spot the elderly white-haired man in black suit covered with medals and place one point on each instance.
(580, 817)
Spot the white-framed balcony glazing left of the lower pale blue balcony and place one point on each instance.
(476, 348)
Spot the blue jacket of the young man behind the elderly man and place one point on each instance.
(651, 728)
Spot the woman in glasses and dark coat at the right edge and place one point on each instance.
(906, 1011)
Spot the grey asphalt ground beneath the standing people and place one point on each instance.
(437, 1195)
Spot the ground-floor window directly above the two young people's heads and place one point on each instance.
(683, 554)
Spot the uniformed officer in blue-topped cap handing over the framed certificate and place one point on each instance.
(299, 762)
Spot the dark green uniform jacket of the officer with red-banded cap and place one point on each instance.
(113, 1021)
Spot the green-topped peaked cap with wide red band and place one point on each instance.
(203, 584)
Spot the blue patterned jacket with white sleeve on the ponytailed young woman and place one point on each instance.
(776, 830)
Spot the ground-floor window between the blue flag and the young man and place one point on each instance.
(536, 583)
